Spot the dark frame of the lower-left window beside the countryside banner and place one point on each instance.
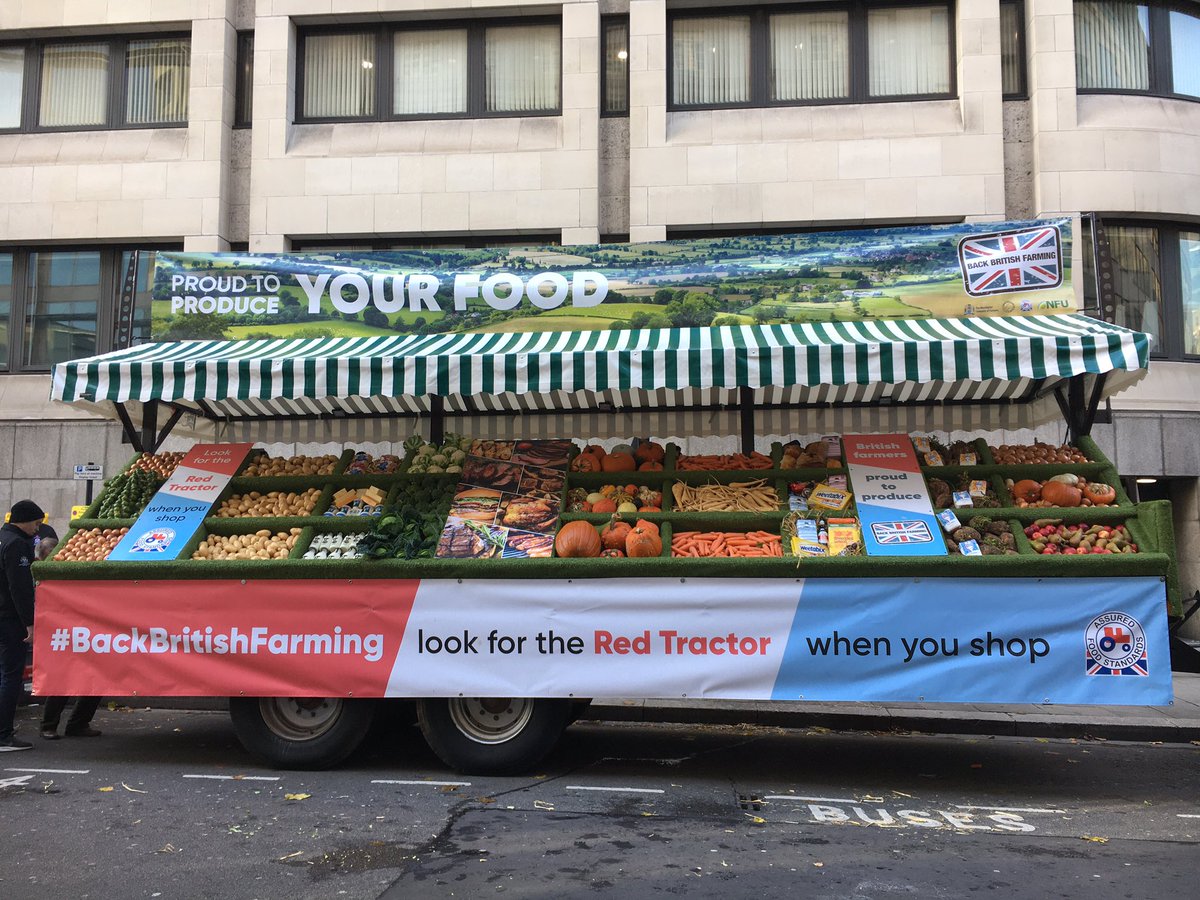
(112, 277)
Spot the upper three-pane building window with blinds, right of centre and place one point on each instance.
(850, 52)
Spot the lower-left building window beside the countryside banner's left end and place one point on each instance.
(62, 304)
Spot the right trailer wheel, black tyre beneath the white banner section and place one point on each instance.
(493, 736)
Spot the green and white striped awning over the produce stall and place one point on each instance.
(886, 373)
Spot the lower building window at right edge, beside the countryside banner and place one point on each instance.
(1156, 284)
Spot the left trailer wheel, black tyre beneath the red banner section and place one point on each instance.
(301, 733)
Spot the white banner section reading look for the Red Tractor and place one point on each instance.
(689, 638)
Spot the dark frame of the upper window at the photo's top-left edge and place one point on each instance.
(117, 89)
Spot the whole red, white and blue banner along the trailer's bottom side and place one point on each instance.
(938, 640)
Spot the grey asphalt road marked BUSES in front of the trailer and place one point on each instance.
(169, 806)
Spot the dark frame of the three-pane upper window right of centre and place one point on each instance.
(857, 47)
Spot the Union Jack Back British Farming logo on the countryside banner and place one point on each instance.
(1029, 260)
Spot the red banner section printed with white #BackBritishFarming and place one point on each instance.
(278, 639)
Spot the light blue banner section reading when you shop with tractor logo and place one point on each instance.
(980, 640)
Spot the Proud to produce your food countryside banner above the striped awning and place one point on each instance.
(920, 272)
